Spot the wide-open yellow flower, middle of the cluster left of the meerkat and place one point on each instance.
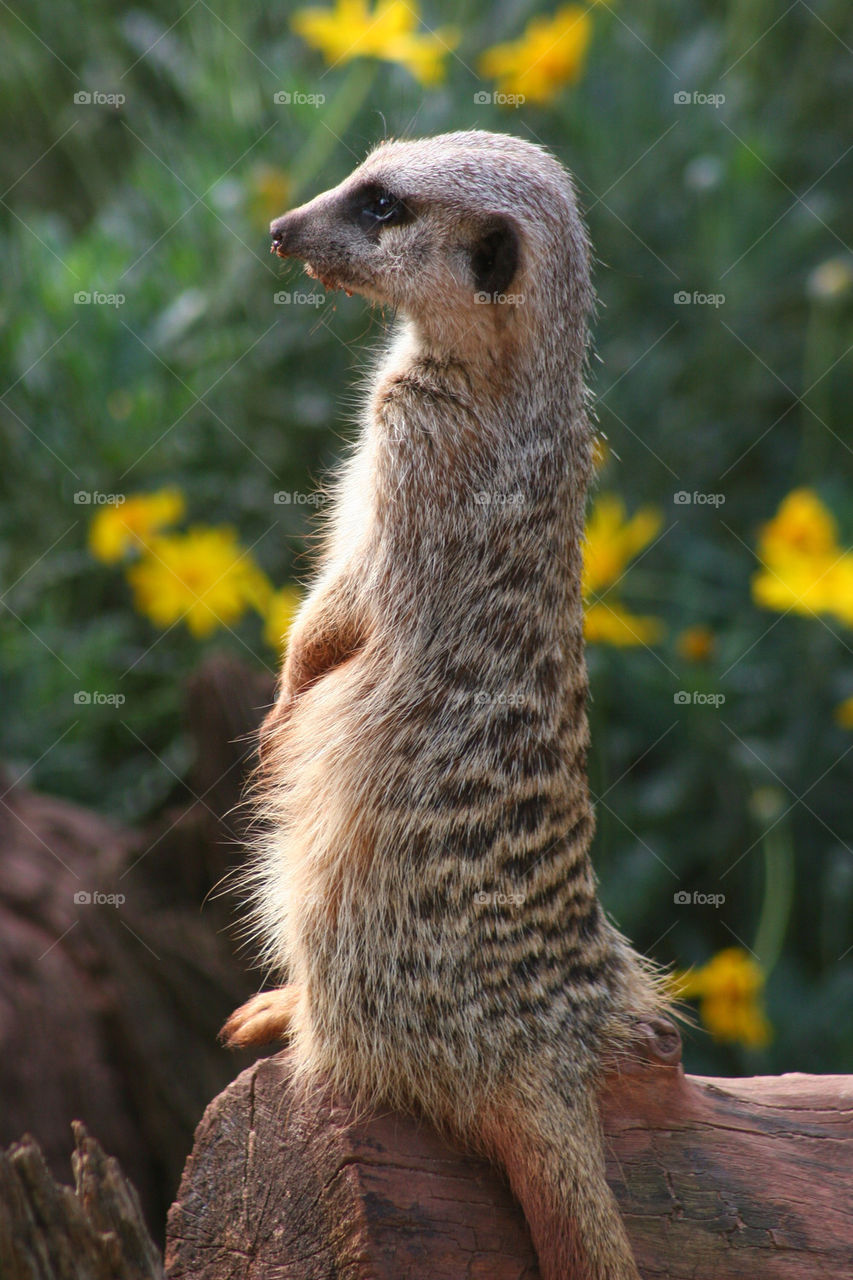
(203, 577)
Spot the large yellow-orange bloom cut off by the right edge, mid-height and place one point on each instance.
(806, 570)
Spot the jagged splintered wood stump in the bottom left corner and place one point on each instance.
(93, 1232)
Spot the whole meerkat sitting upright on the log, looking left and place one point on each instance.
(425, 881)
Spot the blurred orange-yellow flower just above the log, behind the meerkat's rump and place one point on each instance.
(729, 989)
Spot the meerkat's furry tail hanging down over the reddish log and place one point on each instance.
(556, 1172)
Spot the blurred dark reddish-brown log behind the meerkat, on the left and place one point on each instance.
(113, 980)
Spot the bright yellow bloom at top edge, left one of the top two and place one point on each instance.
(352, 30)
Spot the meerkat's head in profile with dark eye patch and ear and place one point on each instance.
(469, 235)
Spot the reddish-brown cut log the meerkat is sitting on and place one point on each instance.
(717, 1178)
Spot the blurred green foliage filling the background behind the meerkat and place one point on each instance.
(200, 380)
